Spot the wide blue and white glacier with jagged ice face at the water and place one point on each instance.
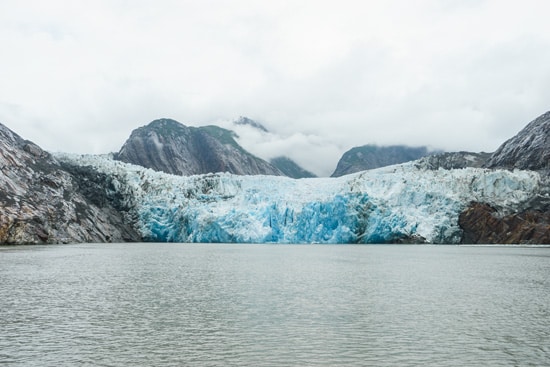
(392, 204)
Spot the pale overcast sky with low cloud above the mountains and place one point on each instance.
(323, 76)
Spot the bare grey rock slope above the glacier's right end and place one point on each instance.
(529, 149)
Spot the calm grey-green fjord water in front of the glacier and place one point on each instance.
(274, 305)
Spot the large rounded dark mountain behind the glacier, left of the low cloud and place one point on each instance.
(169, 146)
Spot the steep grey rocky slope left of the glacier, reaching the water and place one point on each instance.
(41, 202)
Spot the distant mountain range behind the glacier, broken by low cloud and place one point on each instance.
(168, 146)
